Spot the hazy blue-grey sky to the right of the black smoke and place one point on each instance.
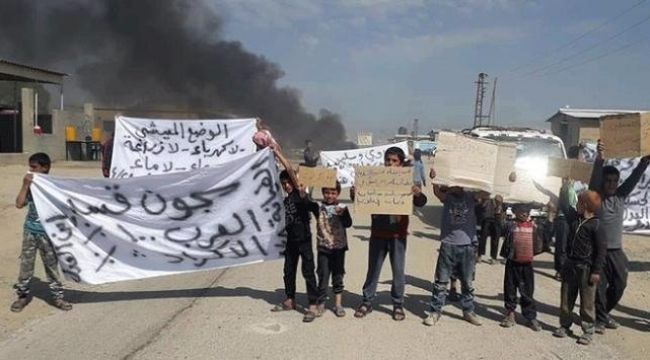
(382, 63)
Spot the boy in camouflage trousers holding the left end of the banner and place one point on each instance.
(35, 239)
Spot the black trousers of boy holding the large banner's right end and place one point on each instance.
(292, 252)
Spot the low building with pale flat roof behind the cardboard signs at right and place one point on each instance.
(576, 125)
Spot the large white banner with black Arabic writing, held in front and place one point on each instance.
(106, 230)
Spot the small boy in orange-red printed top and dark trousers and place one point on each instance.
(518, 249)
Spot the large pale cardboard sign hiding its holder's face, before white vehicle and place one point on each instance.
(473, 163)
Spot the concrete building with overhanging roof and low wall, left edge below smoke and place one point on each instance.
(18, 120)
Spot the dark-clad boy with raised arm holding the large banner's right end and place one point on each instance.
(297, 207)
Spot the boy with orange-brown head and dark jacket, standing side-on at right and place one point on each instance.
(586, 252)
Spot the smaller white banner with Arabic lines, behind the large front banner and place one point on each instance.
(159, 146)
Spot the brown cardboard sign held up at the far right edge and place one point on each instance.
(626, 135)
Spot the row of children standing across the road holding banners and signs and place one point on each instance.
(595, 266)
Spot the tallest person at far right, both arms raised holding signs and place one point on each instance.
(614, 276)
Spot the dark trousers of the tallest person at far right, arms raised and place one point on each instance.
(613, 280)
